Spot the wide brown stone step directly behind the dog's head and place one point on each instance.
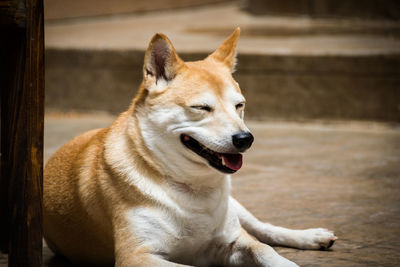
(289, 68)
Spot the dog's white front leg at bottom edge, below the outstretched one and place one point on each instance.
(247, 251)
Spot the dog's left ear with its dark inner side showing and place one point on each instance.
(161, 63)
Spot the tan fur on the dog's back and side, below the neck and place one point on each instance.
(77, 178)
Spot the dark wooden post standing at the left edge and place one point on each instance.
(22, 117)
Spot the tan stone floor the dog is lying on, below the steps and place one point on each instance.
(341, 176)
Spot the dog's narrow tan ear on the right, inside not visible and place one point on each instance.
(226, 52)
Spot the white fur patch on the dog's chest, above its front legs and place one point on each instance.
(185, 232)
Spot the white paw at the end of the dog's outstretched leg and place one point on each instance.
(315, 238)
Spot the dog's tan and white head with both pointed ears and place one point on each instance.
(192, 112)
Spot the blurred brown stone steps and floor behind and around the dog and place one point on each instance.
(322, 82)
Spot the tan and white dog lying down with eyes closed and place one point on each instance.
(153, 189)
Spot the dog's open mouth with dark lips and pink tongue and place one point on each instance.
(224, 162)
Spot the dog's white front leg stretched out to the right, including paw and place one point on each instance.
(315, 238)
